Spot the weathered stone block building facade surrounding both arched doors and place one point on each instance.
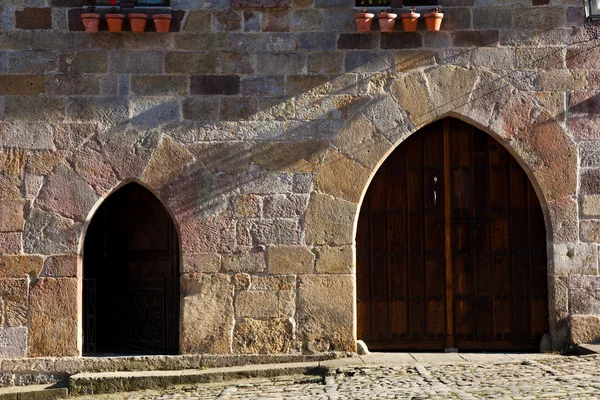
(259, 125)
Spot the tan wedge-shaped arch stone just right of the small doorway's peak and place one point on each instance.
(167, 162)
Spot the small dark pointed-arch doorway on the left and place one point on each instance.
(131, 276)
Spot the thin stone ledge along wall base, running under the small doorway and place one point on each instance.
(72, 365)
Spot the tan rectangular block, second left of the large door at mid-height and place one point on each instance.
(290, 260)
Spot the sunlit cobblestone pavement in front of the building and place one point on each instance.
(554, 378)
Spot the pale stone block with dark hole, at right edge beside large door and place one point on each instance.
(575, 259)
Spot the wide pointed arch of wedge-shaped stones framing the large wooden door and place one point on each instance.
(523, 124)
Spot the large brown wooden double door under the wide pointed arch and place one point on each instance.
(451, 247)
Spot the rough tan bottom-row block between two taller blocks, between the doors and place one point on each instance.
(258, 336)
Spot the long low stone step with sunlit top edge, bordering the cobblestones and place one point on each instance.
(113, 382)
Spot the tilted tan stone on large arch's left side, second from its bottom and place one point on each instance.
(342, 177)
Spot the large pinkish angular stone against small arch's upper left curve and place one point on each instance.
(67, 194)
